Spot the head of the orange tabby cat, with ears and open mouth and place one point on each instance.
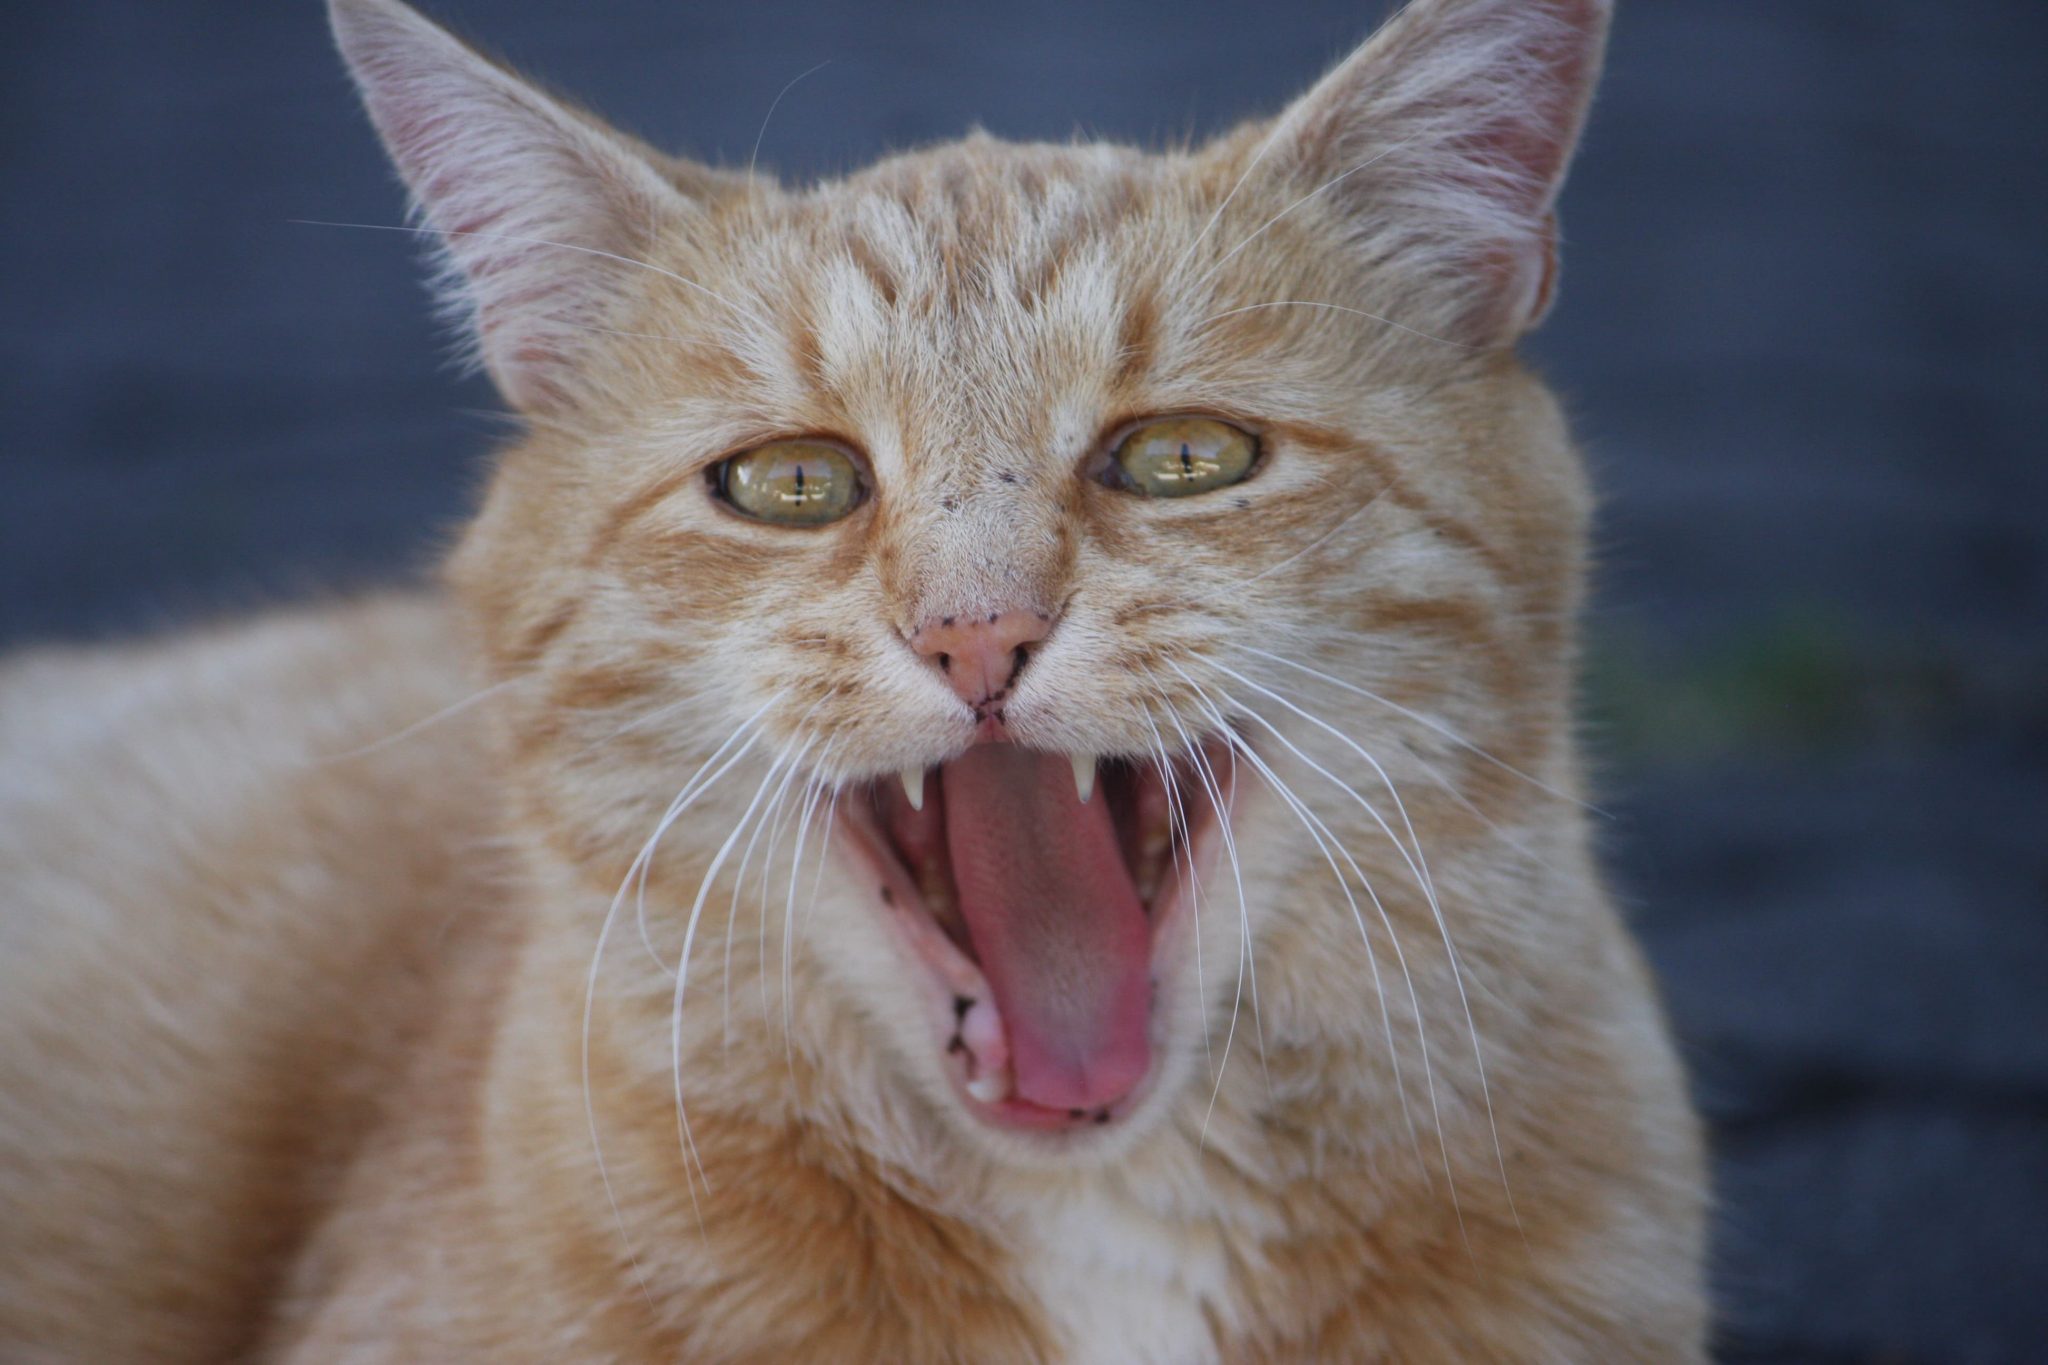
(1066, 527)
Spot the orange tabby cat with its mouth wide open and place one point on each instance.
(992, 781)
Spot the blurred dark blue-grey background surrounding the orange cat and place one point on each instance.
(1801, 331)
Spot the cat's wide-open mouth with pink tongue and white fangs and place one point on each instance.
(1035, 889)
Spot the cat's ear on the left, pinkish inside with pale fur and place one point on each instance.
(538, 208)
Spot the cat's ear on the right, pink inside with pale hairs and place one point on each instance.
(1443, 144)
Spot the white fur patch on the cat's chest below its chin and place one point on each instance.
(1119, 1284)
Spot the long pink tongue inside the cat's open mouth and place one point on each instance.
(1056, 922)
